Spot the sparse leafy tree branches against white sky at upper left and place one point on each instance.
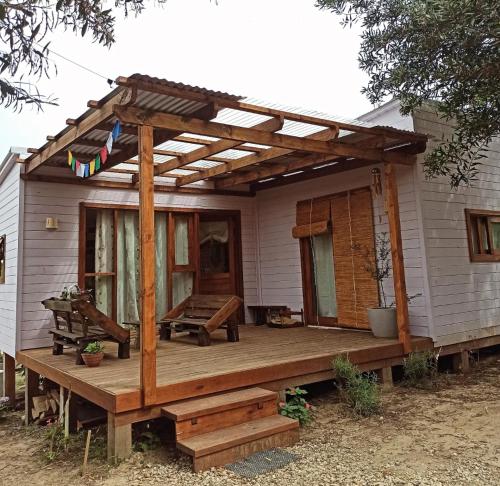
(24, 51)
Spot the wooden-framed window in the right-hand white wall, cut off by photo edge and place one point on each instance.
(483, 232)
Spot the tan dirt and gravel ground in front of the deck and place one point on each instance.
(445, 435)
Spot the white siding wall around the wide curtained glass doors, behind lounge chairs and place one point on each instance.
(51, 257)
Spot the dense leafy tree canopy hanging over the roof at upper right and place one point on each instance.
(446, 51)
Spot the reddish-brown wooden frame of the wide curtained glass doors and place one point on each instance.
(172, 267)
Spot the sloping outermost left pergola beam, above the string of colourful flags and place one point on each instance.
(84, 127)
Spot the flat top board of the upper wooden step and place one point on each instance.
(217, 403)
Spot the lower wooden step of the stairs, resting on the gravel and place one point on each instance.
(230, 444)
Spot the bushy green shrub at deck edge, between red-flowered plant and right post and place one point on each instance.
(360, 390)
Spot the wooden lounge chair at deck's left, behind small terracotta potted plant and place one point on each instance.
(78, 322)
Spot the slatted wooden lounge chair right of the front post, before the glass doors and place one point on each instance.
(203, 314)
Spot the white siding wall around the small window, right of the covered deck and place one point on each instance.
(465, 296)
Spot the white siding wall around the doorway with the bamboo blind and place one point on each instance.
(279, 254)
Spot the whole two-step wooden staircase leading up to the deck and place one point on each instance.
(224, 428)
